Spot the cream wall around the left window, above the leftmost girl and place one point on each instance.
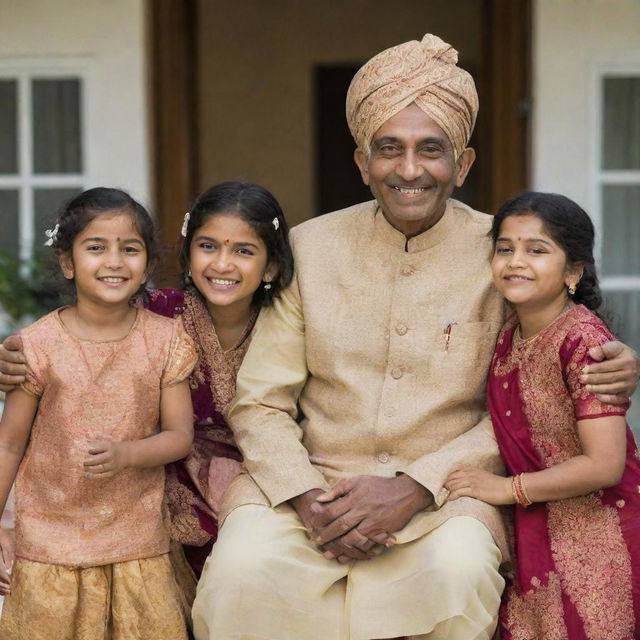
(109, 39)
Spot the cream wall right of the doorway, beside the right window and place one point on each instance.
(571, 37)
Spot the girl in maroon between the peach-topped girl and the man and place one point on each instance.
(235, 258)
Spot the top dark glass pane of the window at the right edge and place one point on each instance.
(621, 130)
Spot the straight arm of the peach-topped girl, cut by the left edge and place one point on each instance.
(19, 410)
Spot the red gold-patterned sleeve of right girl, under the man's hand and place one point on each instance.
(575, 356)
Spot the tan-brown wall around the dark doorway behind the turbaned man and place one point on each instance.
(256, 74)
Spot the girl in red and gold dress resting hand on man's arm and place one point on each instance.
(574, 470)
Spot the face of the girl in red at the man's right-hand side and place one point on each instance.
(529, 268)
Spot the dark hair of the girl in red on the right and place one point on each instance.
(569, 226)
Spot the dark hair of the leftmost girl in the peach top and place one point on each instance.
(76, 214)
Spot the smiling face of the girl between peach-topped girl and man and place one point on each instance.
(228, 261)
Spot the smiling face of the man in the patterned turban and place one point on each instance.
(411, 170)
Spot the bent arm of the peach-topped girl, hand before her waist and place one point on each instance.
(172, 443)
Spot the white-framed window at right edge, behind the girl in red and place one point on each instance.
(617, 200)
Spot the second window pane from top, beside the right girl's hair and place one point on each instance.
(620, 230)
